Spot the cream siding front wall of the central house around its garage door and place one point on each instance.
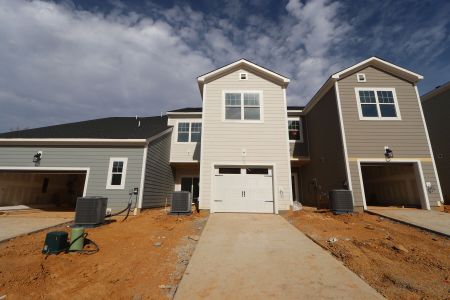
(265, 143)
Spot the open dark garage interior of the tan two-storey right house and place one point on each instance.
(391, 184)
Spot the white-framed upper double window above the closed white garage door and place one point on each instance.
(243, 106)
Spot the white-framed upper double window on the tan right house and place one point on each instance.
(377, 104)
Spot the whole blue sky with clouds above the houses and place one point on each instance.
(66, 61)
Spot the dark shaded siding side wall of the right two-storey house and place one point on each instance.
(327, 162)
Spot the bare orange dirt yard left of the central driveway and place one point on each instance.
(141, 258)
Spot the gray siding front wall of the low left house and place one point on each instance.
(95, 158)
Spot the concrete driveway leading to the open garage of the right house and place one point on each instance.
(431, 220)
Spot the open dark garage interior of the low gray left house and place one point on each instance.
(53, 190)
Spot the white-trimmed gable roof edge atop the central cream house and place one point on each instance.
(241, 63)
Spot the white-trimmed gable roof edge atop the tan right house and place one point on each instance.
(372, 61)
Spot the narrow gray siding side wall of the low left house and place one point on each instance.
(159, 179)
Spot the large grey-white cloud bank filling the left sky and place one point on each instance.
(61, 65)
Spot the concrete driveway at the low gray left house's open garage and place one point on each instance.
(14, 226)
